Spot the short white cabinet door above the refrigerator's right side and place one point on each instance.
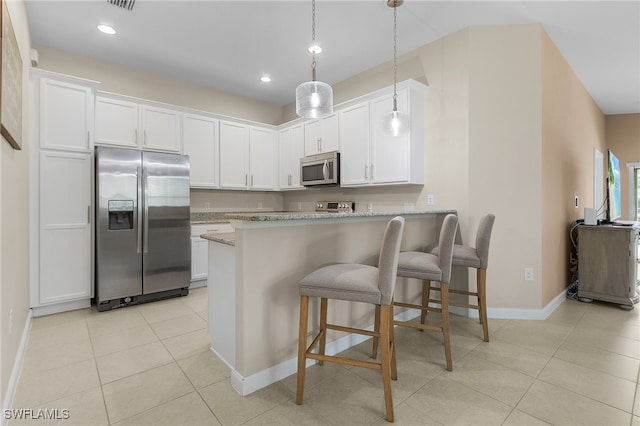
(160, 129)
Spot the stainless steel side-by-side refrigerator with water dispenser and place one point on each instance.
(143, 245)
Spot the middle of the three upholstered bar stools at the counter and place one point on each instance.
(432, 267)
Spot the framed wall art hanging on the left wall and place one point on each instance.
(11, 87)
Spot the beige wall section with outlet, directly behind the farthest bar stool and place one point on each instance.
(504, 157)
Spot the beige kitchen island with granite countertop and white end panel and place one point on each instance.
(253, 277)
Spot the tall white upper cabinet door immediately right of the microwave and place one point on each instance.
(354, 156)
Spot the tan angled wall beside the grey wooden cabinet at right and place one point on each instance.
(573, 127)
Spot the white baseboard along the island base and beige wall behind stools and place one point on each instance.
(246, 385)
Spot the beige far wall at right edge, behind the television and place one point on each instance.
(623, 138)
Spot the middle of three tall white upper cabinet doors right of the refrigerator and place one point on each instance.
(234, 155)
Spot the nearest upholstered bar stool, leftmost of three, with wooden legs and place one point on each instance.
(356, 283)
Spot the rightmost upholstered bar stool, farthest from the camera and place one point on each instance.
(474, 257)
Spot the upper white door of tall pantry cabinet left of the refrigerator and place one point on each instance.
(66, 115)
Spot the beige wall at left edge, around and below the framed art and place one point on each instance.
(14, 230)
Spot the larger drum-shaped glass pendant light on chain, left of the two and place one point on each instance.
(314, 98)
